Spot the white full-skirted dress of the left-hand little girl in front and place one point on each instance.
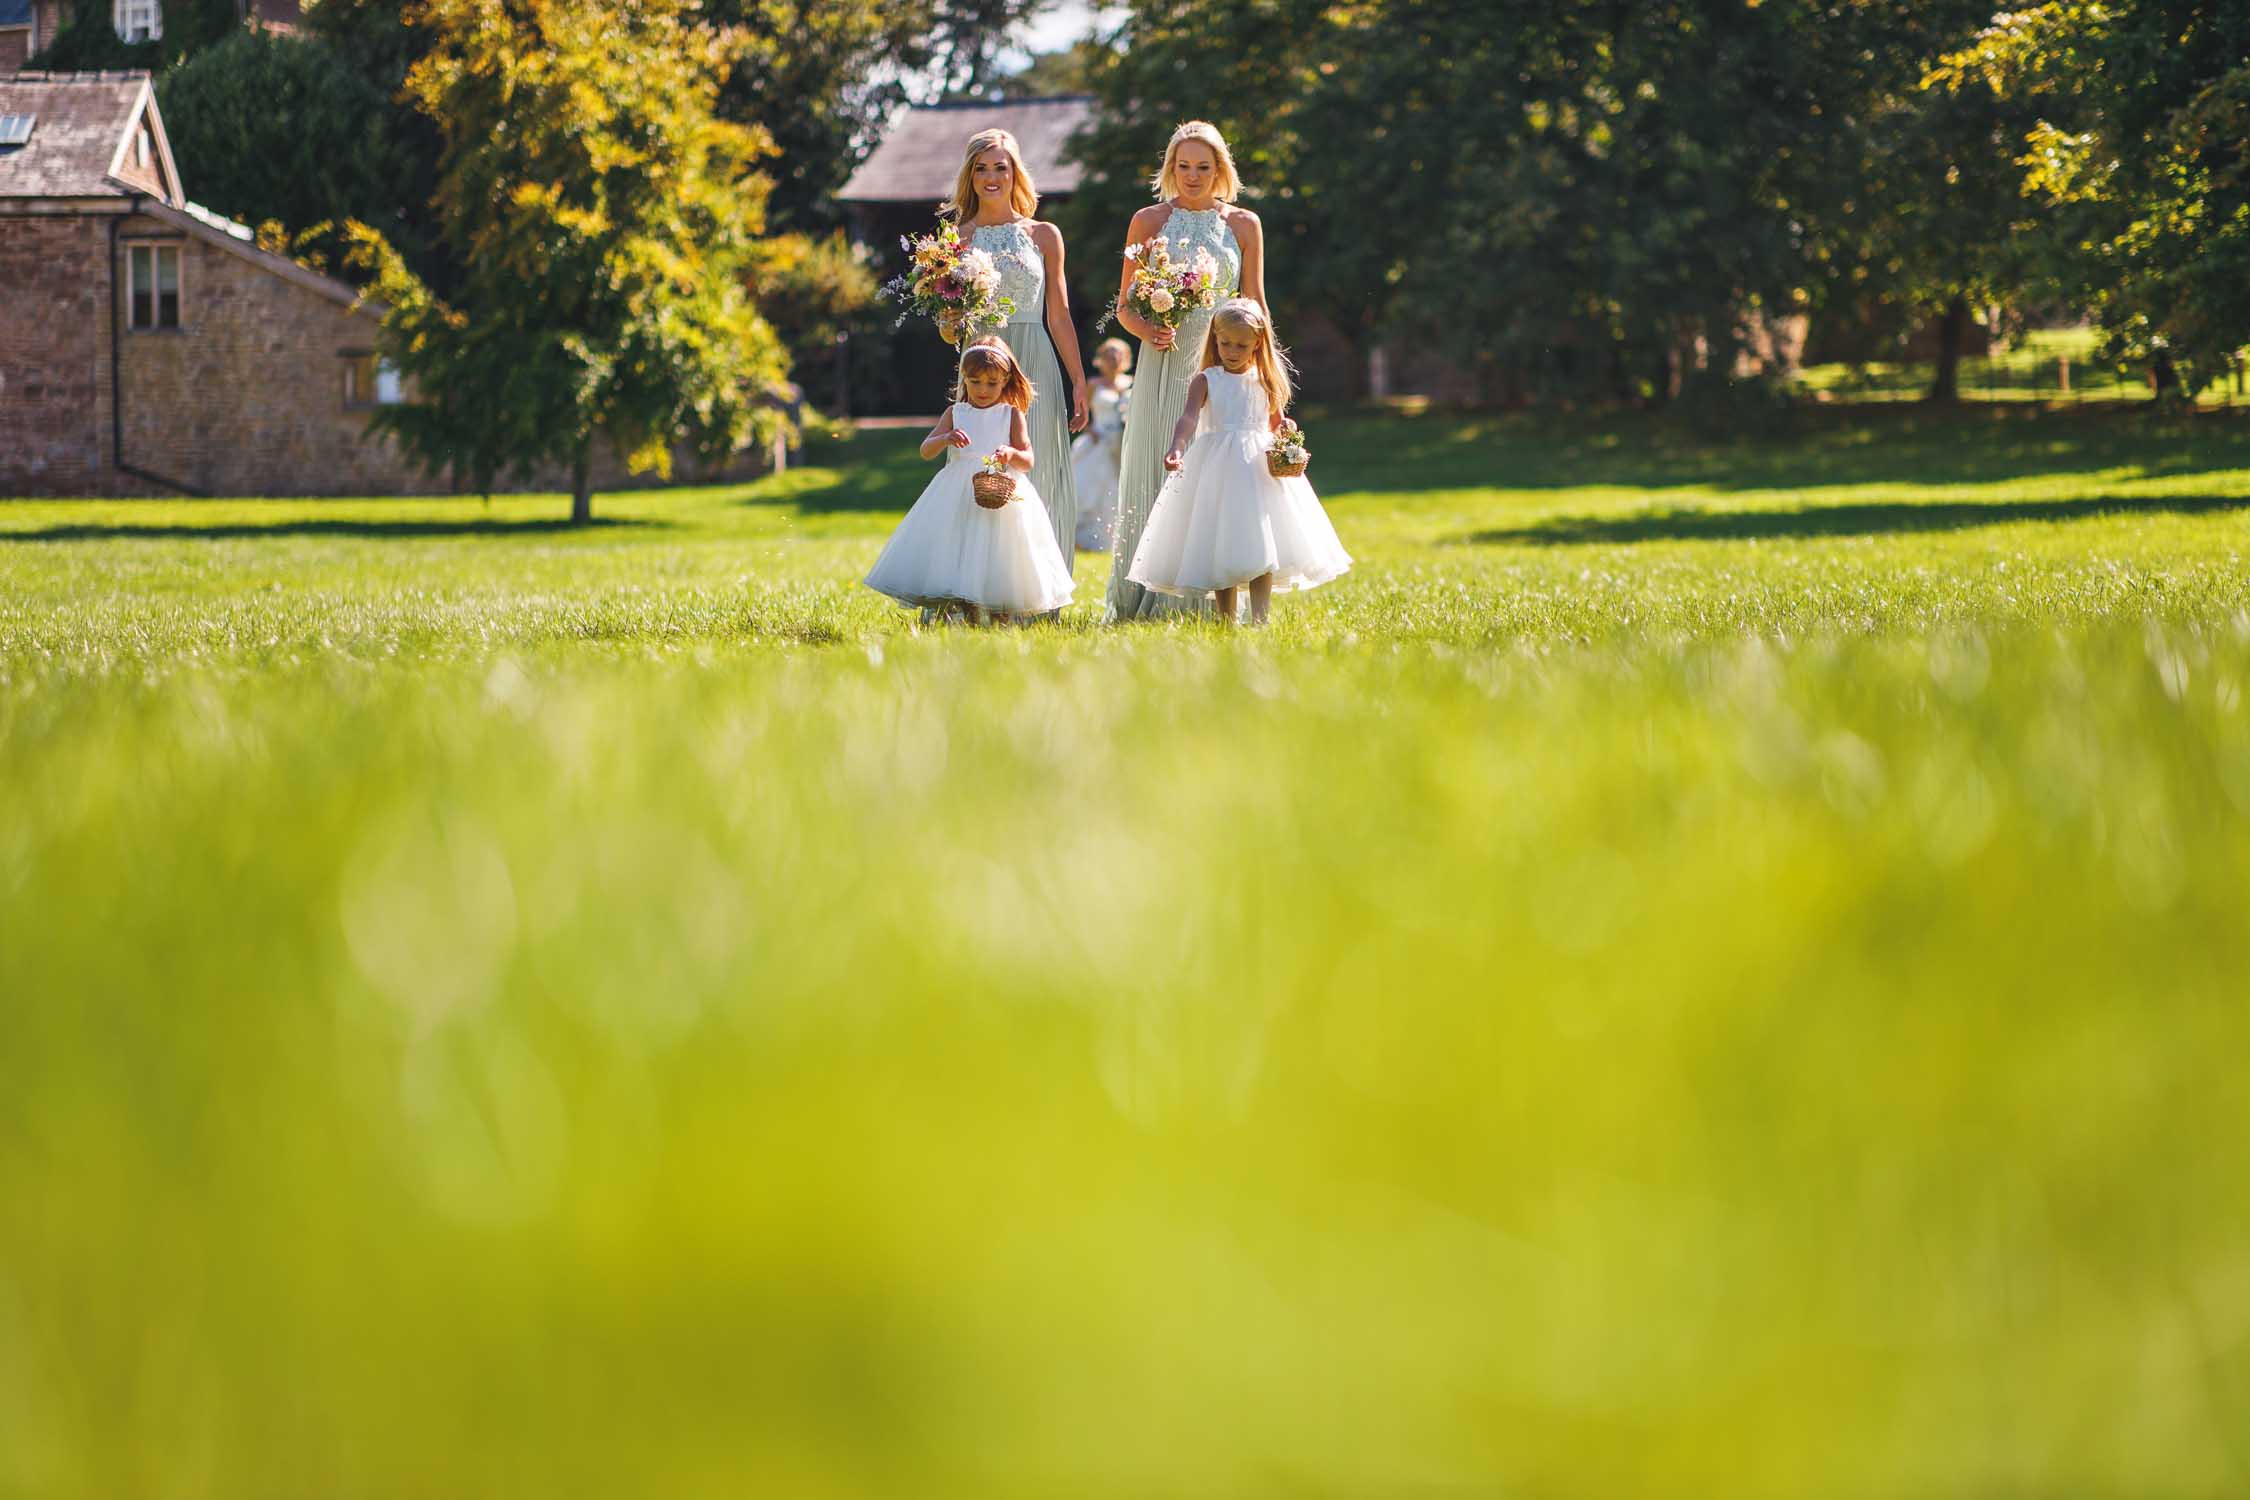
(951, 550)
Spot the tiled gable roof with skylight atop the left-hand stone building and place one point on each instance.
(87, 138)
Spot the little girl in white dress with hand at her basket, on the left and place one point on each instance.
(955, 552)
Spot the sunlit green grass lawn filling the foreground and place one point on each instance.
(1709, 966)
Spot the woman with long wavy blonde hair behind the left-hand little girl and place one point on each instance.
(993, 206)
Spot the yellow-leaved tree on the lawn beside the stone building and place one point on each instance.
(606, 224)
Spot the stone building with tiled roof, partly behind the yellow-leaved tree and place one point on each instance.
(150, 347)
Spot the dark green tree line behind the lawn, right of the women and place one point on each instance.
(1603, 199)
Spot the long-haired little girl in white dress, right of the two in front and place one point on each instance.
(1225, 521)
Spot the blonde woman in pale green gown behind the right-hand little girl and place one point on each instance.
(1196, 210)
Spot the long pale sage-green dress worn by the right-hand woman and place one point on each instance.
(1160, 395)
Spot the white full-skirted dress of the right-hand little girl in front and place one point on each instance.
(1225, 518)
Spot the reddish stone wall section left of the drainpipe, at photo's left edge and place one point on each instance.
(55, 356)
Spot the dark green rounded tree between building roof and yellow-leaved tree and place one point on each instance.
(296, 132)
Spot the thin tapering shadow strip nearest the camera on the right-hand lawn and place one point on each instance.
(1837, 521)
